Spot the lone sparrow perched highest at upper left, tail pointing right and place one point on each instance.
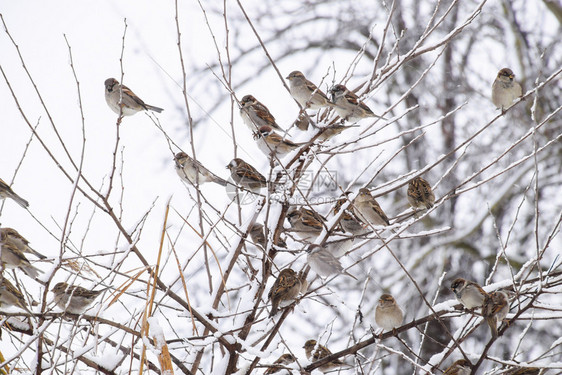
(122, 100)
